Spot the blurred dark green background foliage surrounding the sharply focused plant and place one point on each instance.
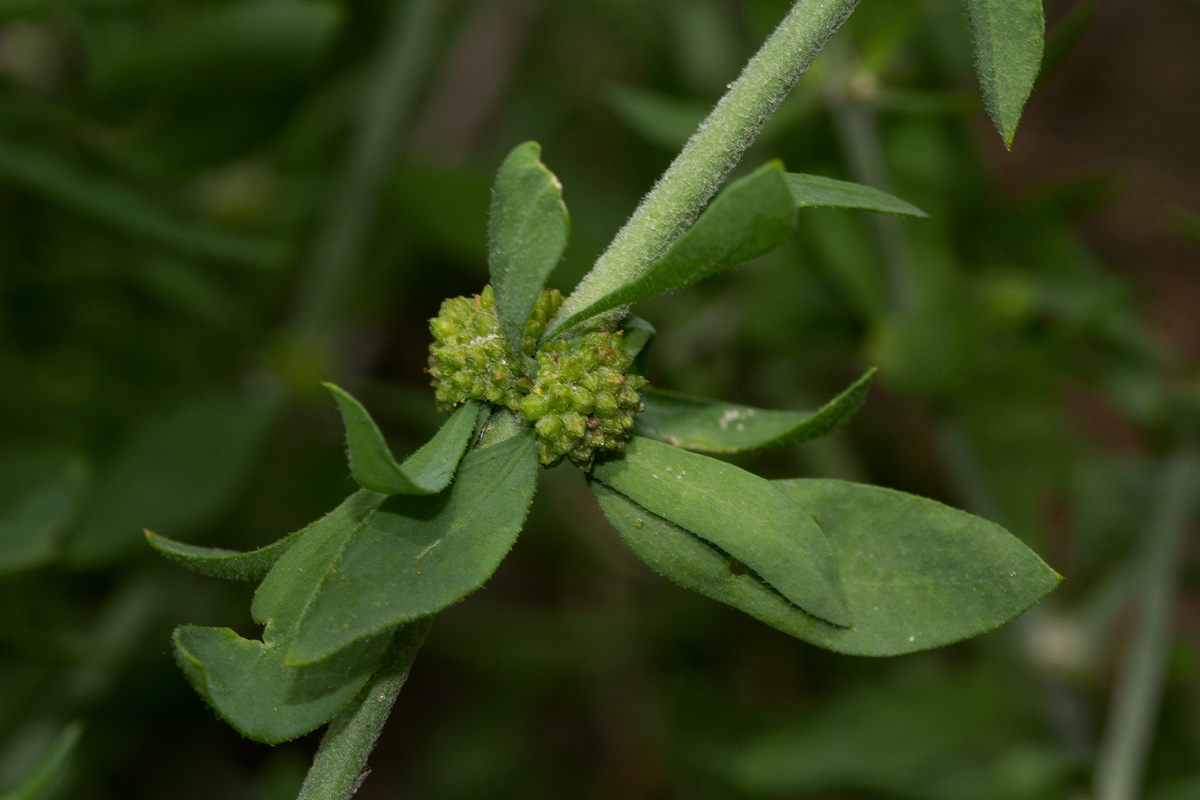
(207, 207)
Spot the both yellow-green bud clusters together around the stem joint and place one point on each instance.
(581, 400)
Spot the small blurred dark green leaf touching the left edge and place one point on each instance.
(31, 530)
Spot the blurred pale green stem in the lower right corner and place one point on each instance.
(1137, 697)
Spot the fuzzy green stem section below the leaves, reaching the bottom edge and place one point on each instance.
(341, 761)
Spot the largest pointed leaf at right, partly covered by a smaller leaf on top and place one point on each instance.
(919, 575)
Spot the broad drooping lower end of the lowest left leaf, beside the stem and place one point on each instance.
(248, 684)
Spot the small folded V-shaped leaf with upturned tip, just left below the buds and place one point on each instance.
(427, 472)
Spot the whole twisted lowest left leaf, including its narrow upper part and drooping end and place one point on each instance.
(247, 682)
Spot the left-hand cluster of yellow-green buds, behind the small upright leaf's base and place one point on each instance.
(469, 359)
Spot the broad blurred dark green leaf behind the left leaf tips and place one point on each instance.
(175, 473)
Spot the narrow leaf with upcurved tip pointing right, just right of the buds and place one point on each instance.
(712, 426)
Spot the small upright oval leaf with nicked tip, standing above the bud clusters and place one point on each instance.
(526, 238)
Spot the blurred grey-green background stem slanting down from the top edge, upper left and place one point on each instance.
(393, 85)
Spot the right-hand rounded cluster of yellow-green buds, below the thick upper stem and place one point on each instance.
(584, 399)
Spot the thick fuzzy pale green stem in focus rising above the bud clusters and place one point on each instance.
(716, 149)
